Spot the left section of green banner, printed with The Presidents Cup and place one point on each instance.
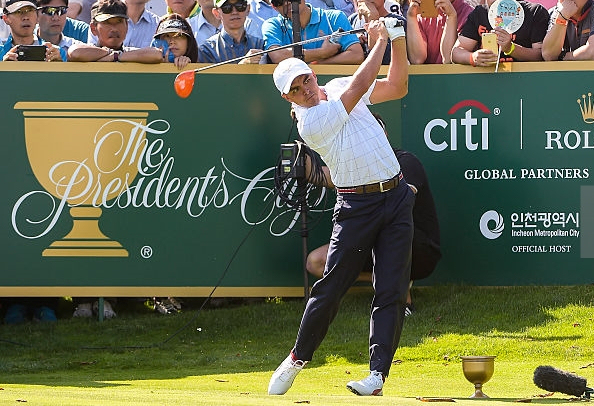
(115, 186)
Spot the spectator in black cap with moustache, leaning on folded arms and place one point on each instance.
(110, 25)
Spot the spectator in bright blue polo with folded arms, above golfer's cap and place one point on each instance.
(315, 22)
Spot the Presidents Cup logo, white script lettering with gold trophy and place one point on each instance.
(88, 157)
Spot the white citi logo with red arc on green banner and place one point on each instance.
(440, 134)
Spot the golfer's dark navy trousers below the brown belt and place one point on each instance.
(376, 223)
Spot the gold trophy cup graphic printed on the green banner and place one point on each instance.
(82, 154)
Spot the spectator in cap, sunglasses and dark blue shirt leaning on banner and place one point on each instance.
(233, 41)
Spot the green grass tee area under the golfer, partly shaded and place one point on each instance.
(226, 355)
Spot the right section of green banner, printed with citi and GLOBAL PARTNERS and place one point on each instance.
(509, 158)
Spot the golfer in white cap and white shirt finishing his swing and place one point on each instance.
(373, 211)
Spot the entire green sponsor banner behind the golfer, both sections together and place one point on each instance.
(115, 186)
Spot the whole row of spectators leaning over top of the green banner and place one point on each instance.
(230, 29)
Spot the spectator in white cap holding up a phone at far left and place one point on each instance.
(21, 17)
